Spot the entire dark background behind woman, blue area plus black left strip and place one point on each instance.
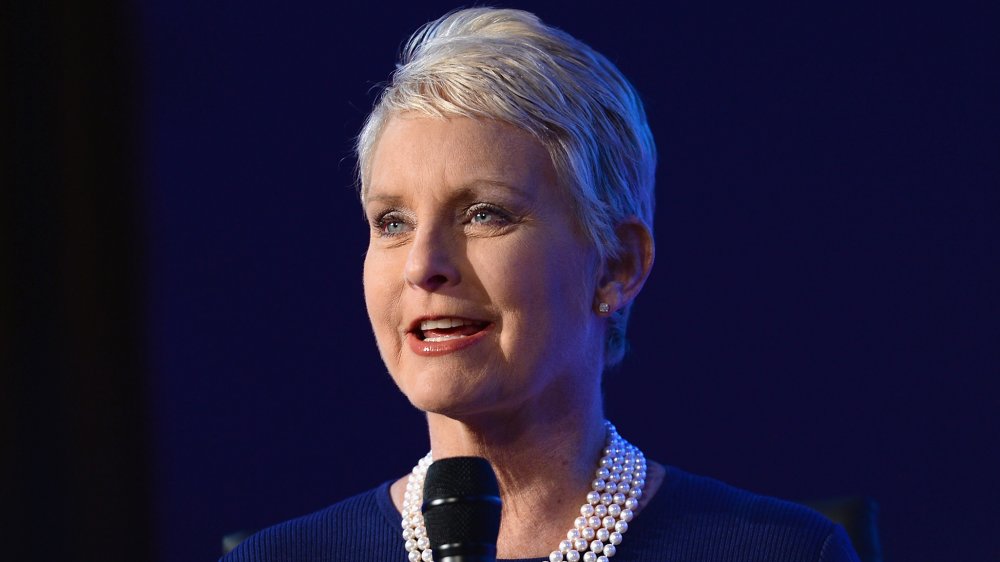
(185, 349)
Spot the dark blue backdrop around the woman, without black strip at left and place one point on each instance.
(822, 319)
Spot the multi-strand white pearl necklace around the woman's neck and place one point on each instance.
(596, 533)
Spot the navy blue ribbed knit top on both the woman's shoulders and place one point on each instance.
(690, 519)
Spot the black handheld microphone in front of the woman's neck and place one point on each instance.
(462, 510)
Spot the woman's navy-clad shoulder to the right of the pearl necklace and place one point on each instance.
(701, 518)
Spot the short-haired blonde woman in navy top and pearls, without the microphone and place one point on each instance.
(507, 175)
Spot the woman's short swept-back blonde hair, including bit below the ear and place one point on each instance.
(509, 66)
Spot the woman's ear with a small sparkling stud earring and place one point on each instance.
(625, 274)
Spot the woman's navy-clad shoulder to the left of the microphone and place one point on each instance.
(359, 528)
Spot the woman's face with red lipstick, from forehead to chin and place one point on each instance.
(479, 285)
